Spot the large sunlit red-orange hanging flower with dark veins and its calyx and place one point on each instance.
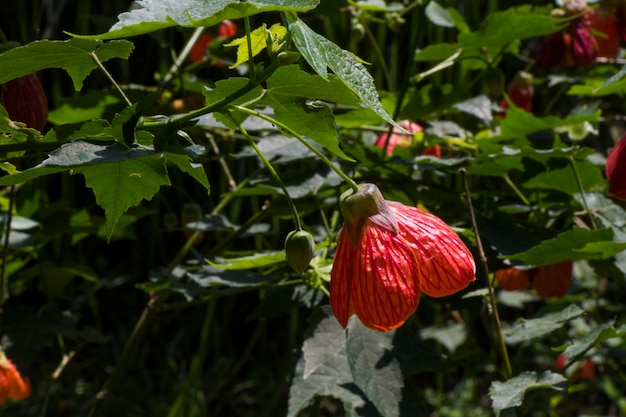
(387, 255)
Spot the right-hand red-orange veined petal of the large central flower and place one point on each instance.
(446, 265)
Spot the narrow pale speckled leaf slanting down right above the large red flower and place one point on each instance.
(321, 54)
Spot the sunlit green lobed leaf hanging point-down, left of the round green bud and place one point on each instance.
(123, 184)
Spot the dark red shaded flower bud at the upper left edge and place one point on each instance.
(25, 101)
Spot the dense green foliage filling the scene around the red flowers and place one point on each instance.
(145, 273)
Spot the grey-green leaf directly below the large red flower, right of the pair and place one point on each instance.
(374, 371)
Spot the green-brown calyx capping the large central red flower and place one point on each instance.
(366, 204)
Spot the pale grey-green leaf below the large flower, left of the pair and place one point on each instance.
(325, 364)
